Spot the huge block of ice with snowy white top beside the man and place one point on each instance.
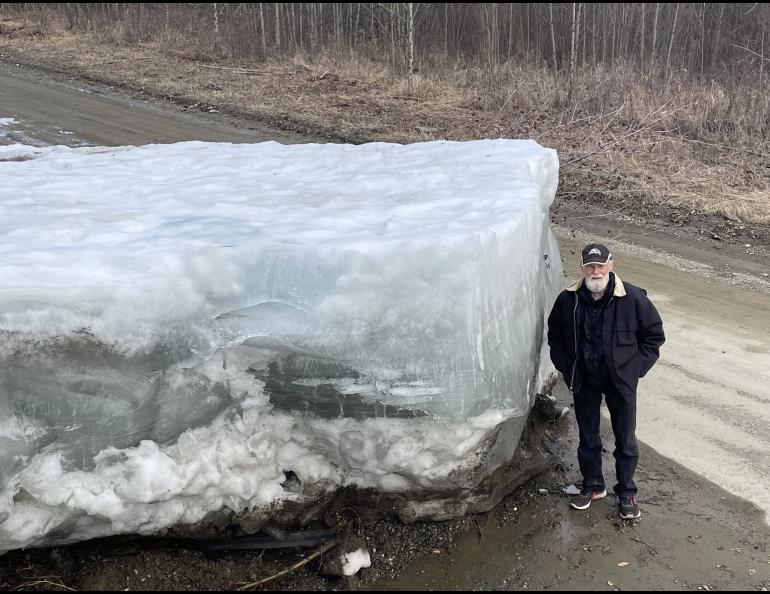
(182, 325)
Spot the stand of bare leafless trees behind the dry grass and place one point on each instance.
(710, 39)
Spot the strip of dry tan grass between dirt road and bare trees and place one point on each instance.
(627, 138)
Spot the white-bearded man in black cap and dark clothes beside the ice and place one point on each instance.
(604, 335)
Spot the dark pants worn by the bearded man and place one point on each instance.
(623, 416)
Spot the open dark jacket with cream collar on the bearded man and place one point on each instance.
(632, 333)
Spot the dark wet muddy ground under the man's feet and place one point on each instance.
(691, 536)
